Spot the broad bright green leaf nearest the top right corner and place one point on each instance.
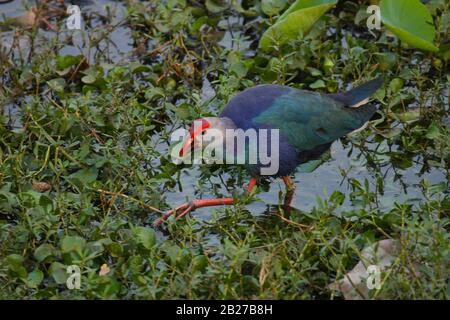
(411, 21)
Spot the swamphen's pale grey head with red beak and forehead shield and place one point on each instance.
(202, 128)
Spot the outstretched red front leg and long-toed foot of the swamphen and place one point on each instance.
(185, 208)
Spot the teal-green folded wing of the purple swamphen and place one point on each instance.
(309, 119)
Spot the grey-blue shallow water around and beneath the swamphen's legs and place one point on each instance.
(322, 182)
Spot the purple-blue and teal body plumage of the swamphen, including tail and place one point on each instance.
(308, 122)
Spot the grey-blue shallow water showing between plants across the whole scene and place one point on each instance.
(322, 182)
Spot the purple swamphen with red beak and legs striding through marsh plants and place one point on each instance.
(308, 123)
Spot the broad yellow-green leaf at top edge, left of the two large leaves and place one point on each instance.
(295, 22)
